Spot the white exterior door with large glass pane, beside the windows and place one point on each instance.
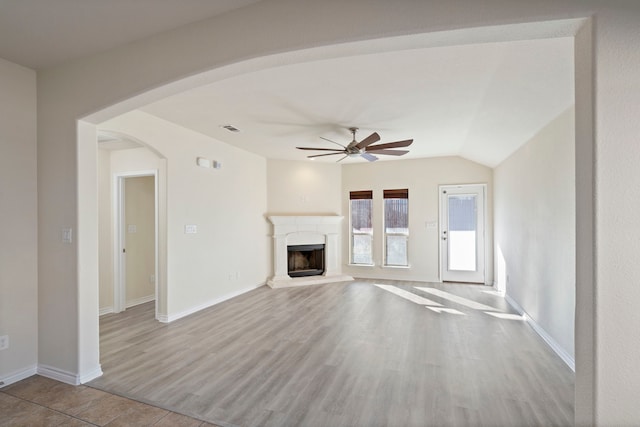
(462, 233)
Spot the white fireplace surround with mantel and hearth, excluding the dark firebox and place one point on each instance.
(306, 230)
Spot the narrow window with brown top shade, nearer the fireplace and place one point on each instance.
(361, 203)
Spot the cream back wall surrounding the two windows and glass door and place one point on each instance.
(422, 177)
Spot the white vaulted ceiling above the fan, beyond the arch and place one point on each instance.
(480, 102)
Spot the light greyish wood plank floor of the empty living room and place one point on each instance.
(344, 354)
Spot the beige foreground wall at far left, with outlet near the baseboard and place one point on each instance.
(18, 222)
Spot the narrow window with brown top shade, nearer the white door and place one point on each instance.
(396, 227)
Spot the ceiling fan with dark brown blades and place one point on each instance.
(362, 148)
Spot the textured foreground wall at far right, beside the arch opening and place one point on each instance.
(617, 271)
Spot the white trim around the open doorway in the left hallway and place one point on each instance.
(119, 237)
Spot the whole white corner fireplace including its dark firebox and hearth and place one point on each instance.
(315, 243)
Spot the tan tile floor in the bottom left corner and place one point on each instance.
(40, 401)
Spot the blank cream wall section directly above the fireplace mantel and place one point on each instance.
(303, 188)
